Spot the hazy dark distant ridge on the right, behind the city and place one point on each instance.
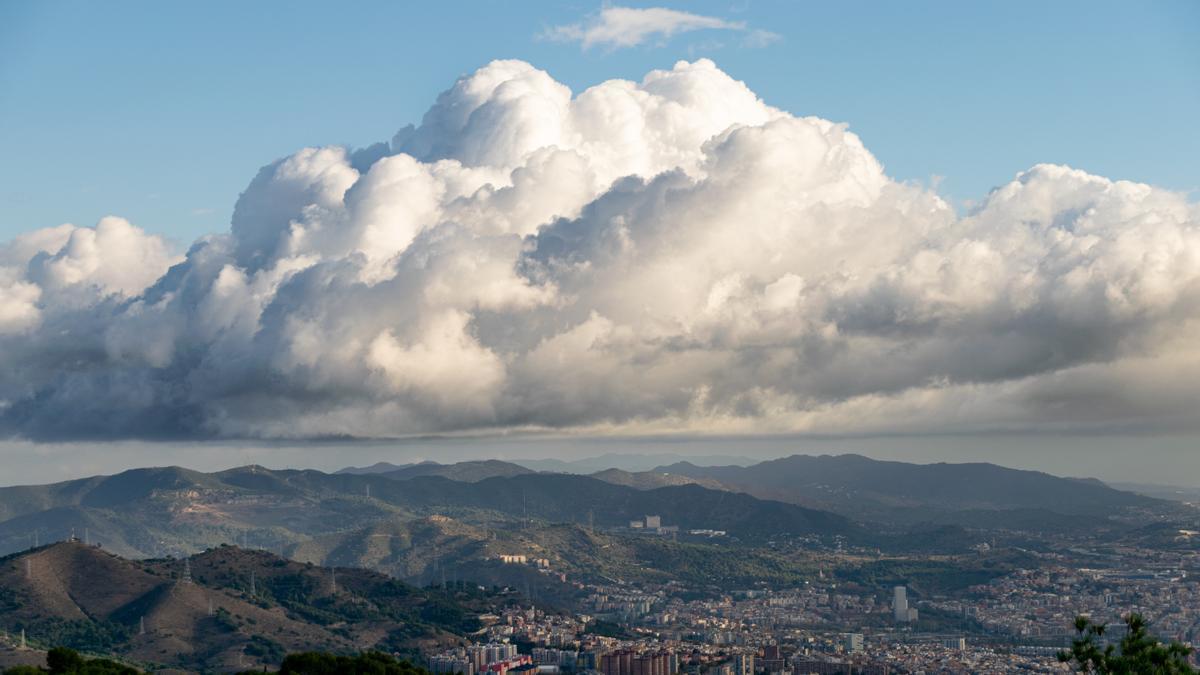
(895, 492)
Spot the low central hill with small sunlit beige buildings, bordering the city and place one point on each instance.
(437, 548)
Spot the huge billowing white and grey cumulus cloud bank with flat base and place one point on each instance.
(673, 255)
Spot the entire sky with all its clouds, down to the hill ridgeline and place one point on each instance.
(929, 232)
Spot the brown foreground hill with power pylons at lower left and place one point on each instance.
(224, 610)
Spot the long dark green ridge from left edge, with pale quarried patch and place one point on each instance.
(153, 513)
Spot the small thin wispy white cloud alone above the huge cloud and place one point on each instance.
(627, 27)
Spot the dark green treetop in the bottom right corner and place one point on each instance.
(1139, 653)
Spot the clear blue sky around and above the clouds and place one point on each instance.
(163, 112)
